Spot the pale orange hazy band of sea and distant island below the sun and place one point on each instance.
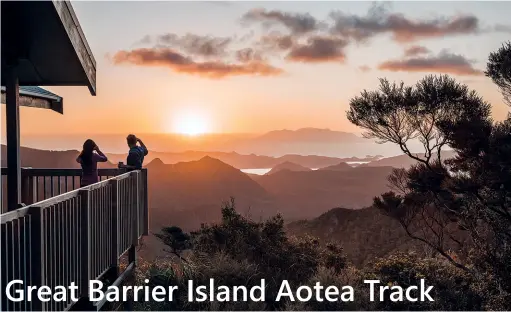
(304, 141)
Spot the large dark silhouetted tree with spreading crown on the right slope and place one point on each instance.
(461, 204)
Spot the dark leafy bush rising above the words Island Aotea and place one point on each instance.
(263, 245)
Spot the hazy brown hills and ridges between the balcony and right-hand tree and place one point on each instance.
(189, 192)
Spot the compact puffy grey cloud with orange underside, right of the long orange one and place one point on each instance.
(318, 49)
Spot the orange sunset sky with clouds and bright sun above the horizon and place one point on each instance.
(259, 66)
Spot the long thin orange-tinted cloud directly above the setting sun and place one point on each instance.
(182, 64)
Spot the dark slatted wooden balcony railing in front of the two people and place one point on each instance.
(76, 236)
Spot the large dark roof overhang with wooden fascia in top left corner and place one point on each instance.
(45, 45)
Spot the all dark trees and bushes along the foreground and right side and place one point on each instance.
(459, 208)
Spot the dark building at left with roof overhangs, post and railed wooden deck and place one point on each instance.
(54, 233)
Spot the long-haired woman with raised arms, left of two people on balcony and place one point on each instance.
(88, 159)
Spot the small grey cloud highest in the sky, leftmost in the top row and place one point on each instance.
(297, 23)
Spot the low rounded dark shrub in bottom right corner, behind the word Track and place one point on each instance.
(453, 288)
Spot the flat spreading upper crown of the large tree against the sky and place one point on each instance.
(399, 114)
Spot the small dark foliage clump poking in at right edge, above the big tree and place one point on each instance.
(499, 70)
